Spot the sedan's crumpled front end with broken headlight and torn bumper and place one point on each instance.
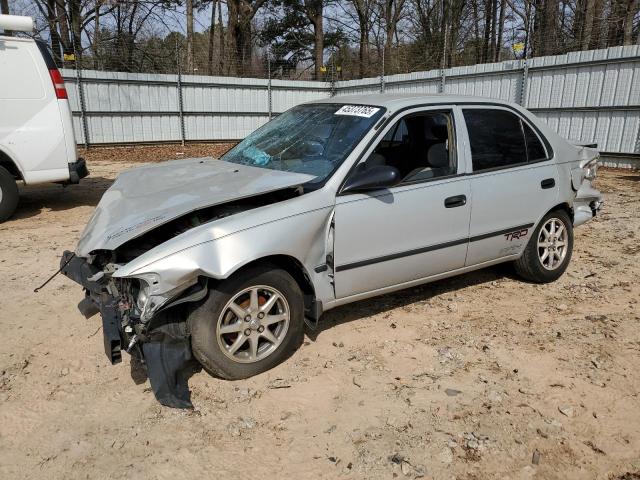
(138, 323)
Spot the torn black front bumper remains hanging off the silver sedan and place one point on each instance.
(164, 348)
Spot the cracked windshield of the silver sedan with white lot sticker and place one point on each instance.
(311, 139)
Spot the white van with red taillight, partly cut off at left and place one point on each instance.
(37, 143)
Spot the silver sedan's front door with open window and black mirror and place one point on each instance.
(416, 229)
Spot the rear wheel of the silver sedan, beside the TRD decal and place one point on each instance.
(548, 252)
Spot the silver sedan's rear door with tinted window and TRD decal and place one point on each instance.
(513, 181)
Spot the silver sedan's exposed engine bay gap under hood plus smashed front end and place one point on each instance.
(153, 332)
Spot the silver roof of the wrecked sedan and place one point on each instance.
(398, 101)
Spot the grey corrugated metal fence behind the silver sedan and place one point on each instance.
(591, 96)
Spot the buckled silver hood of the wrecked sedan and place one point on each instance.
(146, 197)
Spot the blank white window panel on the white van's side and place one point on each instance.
(20, 78)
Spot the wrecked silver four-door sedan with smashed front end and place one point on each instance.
(331, 202)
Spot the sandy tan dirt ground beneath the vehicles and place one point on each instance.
(480, 376)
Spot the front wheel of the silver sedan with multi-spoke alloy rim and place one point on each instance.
(248, 324)
